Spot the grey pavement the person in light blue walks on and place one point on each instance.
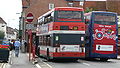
(21, 62)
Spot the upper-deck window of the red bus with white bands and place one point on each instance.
(70, 14)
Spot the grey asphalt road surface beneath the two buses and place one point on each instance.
(112, 63)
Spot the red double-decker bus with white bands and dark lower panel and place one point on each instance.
(61, 33)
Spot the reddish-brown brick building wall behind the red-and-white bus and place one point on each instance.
(39, 7)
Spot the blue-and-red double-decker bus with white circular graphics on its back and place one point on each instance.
(101, 35)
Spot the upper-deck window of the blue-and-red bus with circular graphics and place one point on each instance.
(105, 19)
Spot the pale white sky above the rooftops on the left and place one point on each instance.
(10, 11)
